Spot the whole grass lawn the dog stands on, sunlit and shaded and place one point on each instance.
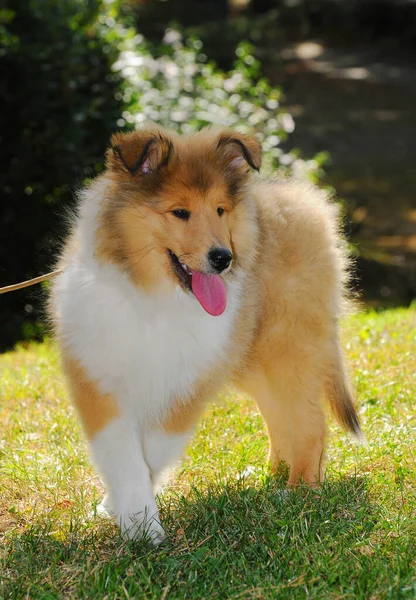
(231, 532)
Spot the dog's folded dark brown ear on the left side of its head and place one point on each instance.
(140, 152)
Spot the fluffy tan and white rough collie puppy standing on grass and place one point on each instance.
(185, 271)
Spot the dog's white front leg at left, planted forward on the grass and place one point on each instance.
(117, 451)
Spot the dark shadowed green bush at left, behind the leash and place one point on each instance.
(58, 102)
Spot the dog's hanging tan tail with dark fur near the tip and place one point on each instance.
(340, 396)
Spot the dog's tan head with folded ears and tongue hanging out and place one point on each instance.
(177, 211)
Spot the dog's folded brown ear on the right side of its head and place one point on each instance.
(240, 151)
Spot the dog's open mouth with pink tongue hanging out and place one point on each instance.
(209, 290)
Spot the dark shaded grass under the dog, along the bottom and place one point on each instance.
(224, 541)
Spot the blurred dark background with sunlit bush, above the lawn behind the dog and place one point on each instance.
(329, 87)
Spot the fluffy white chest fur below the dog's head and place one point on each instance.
(144, 349)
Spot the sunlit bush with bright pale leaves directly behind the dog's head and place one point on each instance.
(175, 86)
